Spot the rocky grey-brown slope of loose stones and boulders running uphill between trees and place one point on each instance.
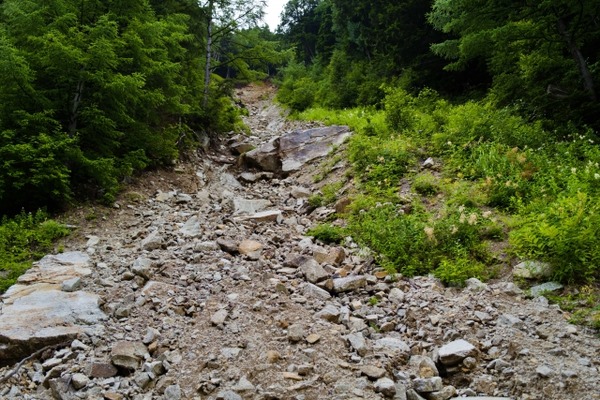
(200, 284)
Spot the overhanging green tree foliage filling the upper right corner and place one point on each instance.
(540, 55)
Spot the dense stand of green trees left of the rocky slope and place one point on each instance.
(93, 91)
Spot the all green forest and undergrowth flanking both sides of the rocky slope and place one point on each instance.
(502, 94)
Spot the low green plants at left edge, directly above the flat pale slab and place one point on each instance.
(24, 238)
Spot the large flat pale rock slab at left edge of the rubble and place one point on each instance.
(35, 312)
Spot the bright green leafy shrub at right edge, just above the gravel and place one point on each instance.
(566, 233)
